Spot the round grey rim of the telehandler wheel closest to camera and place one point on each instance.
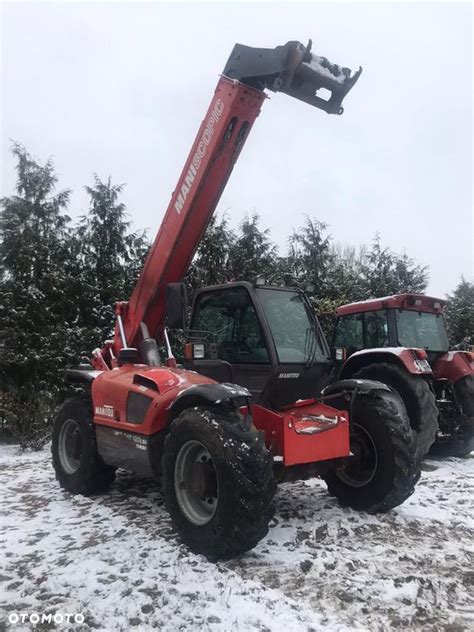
(195, 483)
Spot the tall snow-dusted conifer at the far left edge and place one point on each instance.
(34, 338)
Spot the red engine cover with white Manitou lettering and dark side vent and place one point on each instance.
(110, 391)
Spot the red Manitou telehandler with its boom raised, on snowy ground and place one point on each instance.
(214, 449)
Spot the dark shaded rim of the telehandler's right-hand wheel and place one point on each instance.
(361, 468)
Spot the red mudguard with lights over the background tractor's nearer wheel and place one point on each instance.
(413, 360)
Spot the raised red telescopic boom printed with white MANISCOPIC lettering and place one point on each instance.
(216, 148)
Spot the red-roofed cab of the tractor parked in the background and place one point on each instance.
(403, 320)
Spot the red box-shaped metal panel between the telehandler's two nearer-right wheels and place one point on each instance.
(284, 433)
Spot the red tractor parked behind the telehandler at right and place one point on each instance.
(402, 341)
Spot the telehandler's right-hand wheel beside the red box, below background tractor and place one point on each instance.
(383, 470)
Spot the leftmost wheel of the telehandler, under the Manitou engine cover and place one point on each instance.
(74, 444)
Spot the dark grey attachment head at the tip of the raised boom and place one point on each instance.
(292, 69)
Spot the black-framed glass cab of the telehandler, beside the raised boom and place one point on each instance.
(266, 339)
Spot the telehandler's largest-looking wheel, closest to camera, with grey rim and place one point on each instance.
(218, 482)
